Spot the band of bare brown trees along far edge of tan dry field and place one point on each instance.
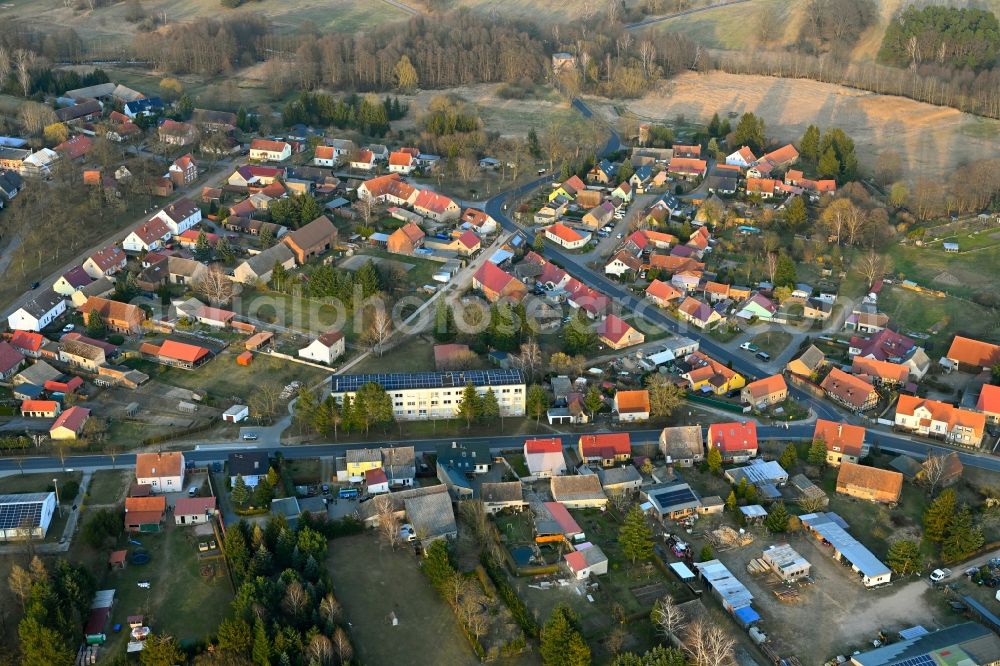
(966, 90)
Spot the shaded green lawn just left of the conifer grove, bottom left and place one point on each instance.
(181, 601)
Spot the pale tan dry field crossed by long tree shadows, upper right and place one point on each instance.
(931, 140)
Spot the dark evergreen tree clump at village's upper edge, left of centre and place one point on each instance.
(366, 113)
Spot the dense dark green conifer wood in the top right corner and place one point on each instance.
(944, 36)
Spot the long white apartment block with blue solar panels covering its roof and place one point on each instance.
(437, 395)
